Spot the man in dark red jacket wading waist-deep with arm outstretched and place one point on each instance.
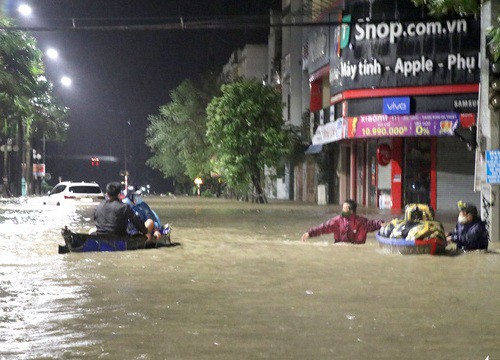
(347, 227)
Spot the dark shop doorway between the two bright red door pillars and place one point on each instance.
(417, 171)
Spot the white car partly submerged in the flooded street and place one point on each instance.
(75, 193)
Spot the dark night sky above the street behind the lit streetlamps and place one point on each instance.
(120, 77)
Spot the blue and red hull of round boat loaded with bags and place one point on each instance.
(430, 246)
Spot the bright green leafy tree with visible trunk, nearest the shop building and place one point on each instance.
(245, 127)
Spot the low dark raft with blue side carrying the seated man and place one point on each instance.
(81, 242)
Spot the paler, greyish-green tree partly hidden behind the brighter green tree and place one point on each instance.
(176, 135)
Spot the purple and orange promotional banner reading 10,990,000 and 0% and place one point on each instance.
(381, 125)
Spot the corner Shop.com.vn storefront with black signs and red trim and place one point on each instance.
(397, 87)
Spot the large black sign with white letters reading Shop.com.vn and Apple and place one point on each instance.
(379, 55)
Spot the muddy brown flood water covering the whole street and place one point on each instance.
(240, 286)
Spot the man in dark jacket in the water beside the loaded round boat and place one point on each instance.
(470, 232)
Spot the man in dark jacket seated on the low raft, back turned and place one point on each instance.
(112, 216)
